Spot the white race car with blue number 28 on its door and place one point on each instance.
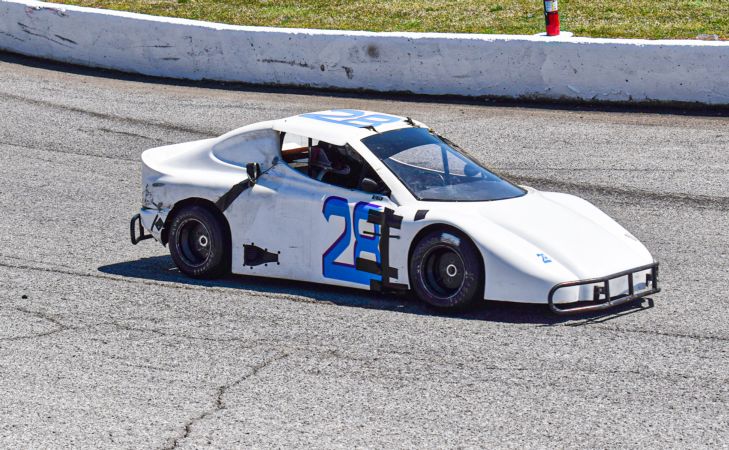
(381, 202)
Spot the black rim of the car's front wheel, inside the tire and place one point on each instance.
(443, 271)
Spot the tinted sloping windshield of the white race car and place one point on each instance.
(433, 170)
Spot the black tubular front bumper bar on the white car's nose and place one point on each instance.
(610, 302)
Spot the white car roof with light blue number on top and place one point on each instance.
(339, 126)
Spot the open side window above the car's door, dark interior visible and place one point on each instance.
(332, 164)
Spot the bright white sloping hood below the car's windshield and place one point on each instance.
(561, 228)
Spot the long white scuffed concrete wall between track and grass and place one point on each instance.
(427, 63)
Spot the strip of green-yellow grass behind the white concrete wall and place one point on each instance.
(651, 19)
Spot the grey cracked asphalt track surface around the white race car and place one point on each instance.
(104, 344)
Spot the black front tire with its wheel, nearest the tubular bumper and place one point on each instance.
(446, 270)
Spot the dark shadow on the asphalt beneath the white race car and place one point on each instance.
(162, 269)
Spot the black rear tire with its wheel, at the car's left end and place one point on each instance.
(199, 244)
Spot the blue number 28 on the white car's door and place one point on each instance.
(339, 207)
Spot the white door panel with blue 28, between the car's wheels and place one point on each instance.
(313, 230)
